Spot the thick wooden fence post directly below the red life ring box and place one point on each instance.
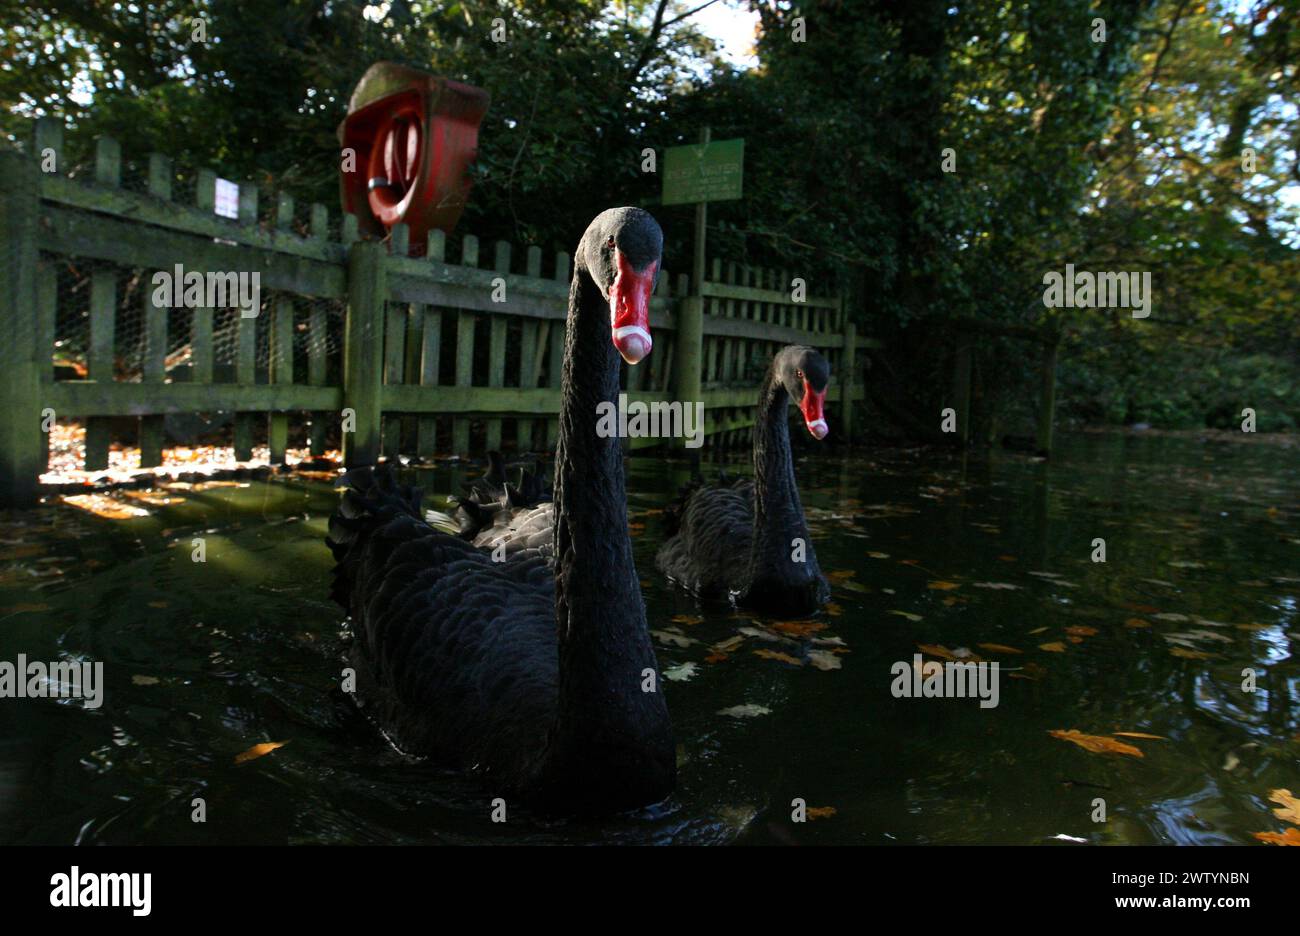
(363, 353)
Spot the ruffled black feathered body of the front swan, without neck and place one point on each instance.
(443, 629)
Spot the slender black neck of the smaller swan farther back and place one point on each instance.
(779, 525)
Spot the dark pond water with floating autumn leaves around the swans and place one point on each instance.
(983, 557)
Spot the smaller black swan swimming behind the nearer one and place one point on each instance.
(749, 540)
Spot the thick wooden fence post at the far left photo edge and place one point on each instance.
(21, 445)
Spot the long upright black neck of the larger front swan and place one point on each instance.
(612, 738)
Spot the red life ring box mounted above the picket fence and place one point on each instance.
(414, 137)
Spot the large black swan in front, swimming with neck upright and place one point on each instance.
(539, 677)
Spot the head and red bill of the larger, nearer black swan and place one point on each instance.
(623, 252)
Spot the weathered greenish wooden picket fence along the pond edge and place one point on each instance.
(384, 315)
